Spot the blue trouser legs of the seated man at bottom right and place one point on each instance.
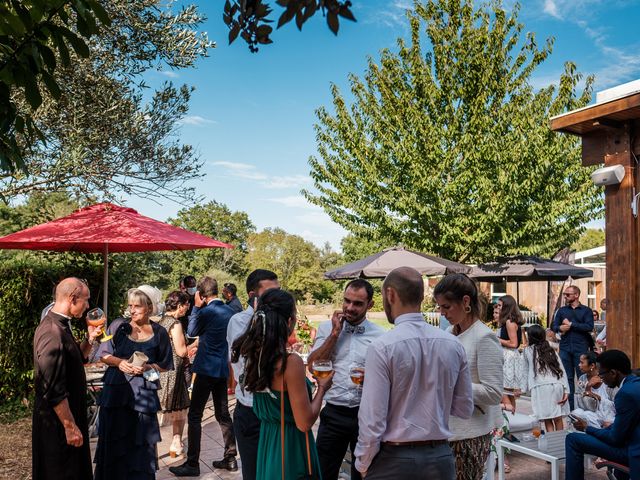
(578, 444)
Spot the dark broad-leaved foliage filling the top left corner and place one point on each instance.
(29, 33)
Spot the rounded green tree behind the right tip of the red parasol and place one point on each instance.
(215, 220)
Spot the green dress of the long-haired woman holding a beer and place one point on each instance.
(266, 406)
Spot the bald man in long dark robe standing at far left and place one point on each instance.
(60, 435)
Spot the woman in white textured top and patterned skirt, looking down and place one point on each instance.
(458, 300)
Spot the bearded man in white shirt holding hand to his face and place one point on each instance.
(344, 340)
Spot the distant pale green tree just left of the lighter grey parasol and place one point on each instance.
(294, 259)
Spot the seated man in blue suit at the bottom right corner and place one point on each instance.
(620, 442)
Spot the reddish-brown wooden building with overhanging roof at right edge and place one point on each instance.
(610, 132)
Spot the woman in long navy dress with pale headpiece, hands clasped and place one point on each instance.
(128, 429)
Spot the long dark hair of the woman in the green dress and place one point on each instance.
(265, 341)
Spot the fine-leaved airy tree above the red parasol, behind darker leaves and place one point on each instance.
(107, 133)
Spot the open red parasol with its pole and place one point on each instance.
(106, 228)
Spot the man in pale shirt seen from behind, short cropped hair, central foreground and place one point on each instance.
(416, 376)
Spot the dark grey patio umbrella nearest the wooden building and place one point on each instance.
(527, 268)
